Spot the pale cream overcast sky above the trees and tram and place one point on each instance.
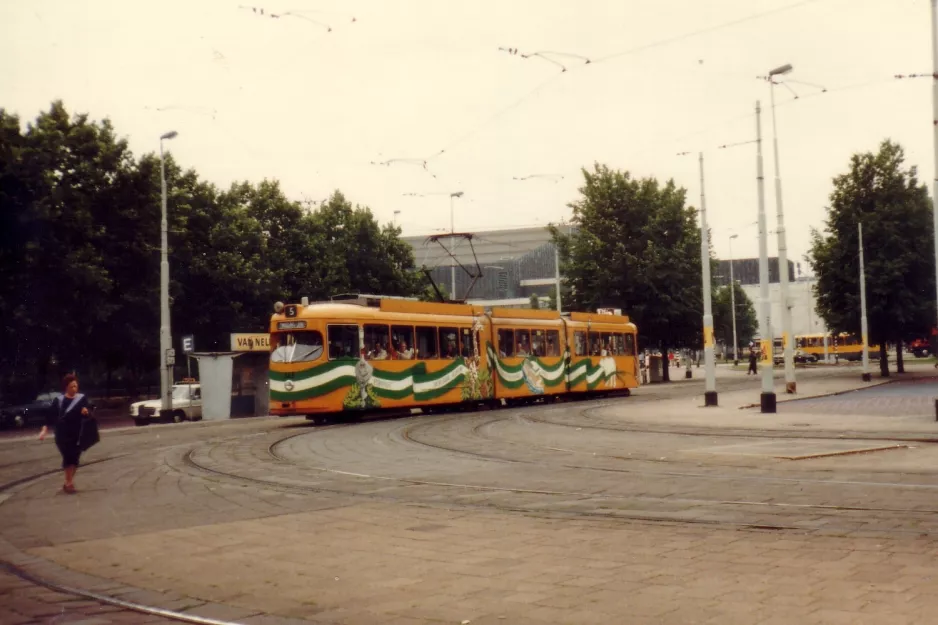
(255, 97)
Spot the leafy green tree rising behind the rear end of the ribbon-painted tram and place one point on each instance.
(635, 246)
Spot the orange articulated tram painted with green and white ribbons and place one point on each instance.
(377, 353)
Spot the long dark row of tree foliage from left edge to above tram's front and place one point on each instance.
(80, 252)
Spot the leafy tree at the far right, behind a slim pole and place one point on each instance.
(886, 196)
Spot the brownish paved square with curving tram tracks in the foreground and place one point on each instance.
(641, 510)
